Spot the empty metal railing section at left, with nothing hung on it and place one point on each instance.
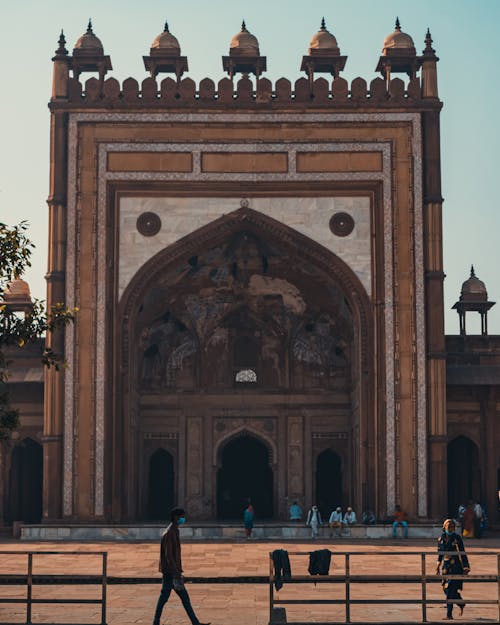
(31, 579)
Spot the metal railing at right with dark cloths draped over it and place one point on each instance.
(348, 579)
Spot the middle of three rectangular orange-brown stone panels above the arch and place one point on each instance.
(239, 162)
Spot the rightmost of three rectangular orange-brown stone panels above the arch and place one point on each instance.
(338, 161)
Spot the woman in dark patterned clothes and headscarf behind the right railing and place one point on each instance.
(452, 562)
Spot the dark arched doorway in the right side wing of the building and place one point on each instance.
(464, 481)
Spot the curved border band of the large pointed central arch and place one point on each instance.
(305, 251)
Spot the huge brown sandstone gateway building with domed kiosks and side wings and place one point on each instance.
(259, 275)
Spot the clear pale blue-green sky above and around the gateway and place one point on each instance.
(465, 37)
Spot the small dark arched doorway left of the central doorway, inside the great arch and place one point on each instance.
(160, 486)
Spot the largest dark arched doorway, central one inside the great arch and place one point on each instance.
(244, 473)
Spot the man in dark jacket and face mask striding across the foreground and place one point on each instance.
(171, 568)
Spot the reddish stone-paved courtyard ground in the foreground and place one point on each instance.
(240, 604)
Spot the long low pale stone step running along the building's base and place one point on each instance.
(215, 531)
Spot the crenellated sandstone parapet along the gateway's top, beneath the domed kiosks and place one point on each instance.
(243, 93)
